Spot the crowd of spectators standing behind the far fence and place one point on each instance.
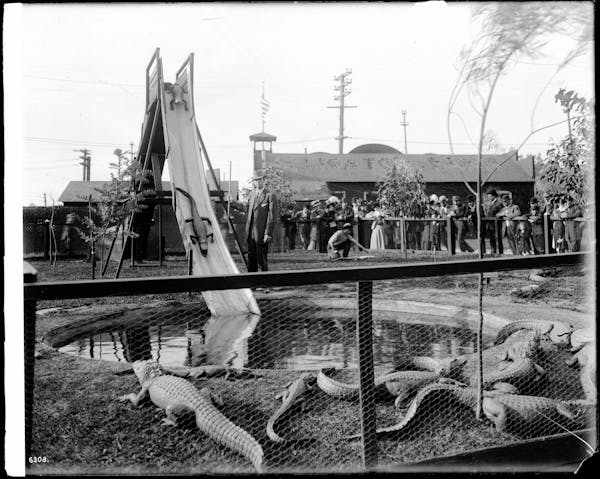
(524, 231)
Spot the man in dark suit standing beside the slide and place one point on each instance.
(262, 209)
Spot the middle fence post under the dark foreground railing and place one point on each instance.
(364, 334)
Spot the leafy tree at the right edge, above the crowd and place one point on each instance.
(568, 164)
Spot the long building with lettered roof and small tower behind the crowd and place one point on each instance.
(357, 173)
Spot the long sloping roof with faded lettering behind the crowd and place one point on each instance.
(367, 167)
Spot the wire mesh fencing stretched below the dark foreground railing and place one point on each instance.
(334, 376)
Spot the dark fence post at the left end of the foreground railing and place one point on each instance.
(29, 276)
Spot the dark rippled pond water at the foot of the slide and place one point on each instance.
(312, 341)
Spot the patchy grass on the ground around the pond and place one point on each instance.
(81, 427)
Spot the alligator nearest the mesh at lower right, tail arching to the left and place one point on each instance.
(506, 411)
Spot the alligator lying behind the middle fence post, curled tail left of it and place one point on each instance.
(402, 384)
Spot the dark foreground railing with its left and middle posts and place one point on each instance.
(363, 276)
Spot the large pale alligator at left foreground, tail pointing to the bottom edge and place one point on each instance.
(177, 395)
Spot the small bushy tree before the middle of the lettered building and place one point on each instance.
(402, 192)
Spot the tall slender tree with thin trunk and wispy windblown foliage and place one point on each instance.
(507, 33)
